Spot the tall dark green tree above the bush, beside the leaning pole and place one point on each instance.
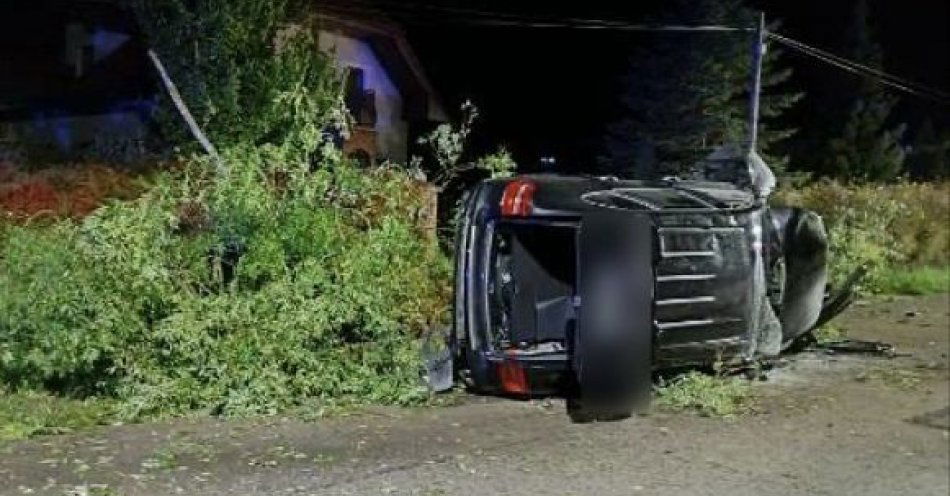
(249, 71)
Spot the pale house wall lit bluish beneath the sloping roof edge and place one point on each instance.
(392, 131)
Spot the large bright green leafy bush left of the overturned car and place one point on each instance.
(240, 295)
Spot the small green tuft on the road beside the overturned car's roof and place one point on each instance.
(709, 395)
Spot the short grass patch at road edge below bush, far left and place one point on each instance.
(28, 414)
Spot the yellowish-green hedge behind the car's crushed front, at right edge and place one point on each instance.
(879, 225)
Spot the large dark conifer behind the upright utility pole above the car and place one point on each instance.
(687, 93)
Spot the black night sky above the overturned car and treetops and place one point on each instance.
(550, 92)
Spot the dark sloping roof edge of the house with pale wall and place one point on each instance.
(388, 40)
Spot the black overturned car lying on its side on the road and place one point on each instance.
(588, 285)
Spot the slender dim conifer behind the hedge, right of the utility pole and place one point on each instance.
(867, 148)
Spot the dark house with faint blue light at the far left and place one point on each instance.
(73, 77)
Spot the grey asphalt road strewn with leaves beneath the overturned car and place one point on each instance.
(836, 425)
